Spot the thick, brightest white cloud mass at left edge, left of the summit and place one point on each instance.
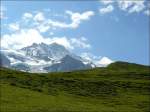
(21, 39)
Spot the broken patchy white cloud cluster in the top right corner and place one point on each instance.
(130, 6)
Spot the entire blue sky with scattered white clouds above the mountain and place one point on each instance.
(117, 30)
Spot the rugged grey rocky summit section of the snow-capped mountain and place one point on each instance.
(45, 52)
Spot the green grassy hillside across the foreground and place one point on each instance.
(121, 87)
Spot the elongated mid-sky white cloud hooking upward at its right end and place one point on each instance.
(76, 19)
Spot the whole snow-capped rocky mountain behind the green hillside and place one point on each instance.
(44, 58)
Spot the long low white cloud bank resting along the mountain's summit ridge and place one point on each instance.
(26, 37)
